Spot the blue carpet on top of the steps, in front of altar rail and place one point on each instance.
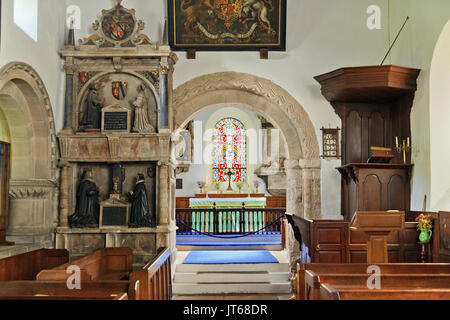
(229, 257)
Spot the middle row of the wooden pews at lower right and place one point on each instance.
(390, 281)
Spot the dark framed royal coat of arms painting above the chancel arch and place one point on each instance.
(227, 25)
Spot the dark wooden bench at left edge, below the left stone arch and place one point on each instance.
(26, 266)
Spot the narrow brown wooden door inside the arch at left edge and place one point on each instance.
(4, 189)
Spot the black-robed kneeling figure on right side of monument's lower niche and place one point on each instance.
(141, 216)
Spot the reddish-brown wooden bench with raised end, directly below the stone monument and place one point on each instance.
(104, 264)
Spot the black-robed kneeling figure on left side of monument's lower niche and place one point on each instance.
(87, 208)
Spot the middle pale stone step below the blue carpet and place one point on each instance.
(224, 277)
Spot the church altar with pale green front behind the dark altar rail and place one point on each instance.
(229, 220)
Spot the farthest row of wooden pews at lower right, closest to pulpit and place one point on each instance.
(360, 268)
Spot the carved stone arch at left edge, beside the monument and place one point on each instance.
(25, 108)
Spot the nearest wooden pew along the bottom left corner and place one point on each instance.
(57, 290)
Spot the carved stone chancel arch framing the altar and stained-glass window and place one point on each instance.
(264, 97)
